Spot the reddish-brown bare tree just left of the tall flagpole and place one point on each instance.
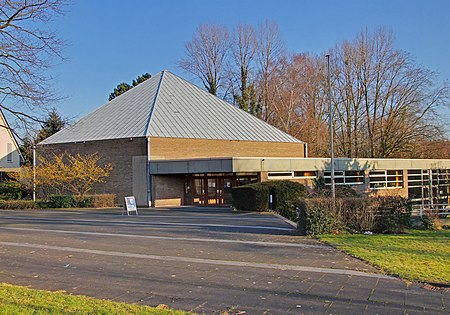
(299, 104)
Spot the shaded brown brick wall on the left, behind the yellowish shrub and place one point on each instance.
(118, 152)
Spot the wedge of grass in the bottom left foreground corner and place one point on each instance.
(21, 300)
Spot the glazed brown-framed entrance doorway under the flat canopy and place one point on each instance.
(213, 189)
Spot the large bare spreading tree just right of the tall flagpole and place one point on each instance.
(384, 100)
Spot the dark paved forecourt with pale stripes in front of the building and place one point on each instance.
(208, 260)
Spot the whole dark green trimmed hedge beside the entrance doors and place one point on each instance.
(256, 197)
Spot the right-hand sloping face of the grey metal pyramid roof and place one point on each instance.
(182, 110)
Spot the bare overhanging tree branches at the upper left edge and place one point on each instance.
(26, 52)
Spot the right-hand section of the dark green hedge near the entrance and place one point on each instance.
(285, 197)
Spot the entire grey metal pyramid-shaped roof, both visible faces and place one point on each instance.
(168, 106)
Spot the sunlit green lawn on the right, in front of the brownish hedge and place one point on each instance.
(416, 255)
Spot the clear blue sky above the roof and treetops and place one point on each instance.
(111, 41)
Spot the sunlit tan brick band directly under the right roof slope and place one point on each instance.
(177, 148)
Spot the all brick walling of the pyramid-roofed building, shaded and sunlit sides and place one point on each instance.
(167, 190)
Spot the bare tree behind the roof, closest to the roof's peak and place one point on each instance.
(206, 54)
